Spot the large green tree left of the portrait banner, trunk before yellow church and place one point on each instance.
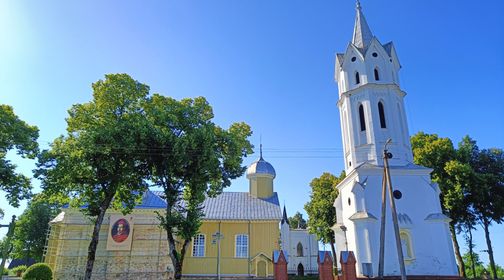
(99, 163)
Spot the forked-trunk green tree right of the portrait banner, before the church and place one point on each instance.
(190, 158)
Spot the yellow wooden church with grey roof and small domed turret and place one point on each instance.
(240, 230)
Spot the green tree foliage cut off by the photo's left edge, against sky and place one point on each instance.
(18, 135)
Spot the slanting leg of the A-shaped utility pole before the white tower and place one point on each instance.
(386, 156)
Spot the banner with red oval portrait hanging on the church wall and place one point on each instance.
(120, 233)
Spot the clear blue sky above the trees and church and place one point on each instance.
(268, 63)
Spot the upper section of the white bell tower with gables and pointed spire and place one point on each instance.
(370, 100)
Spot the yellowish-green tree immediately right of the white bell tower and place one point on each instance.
(432, 151)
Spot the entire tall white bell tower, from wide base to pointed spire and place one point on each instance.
(425, 235)
